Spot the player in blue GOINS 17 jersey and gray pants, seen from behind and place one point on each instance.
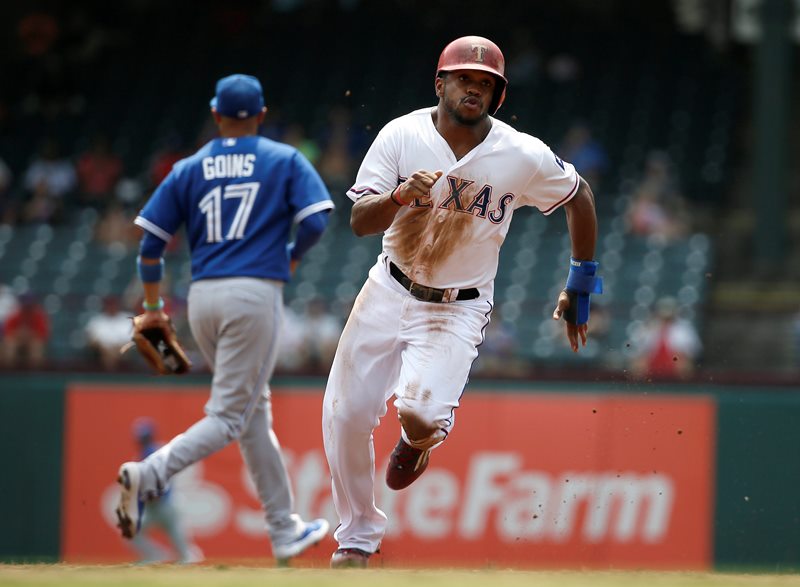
(238, 198)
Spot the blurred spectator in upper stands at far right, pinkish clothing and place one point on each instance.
(657, 207)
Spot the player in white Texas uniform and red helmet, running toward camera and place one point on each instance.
(442, 185)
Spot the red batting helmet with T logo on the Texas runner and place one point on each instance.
(477, 53)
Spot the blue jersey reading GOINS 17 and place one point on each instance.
(238, 198)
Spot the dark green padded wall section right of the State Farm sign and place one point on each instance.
(758, 480)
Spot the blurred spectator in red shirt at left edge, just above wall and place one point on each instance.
(25, 334)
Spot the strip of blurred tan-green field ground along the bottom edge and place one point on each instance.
(233, 576)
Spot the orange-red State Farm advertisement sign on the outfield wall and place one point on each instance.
(551, 480)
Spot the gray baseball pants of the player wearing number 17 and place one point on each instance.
(235, 322)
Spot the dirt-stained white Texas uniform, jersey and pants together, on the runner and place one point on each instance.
(420, 351)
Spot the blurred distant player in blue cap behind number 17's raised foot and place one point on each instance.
(161, 513)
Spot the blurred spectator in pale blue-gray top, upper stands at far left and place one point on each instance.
(49, 181)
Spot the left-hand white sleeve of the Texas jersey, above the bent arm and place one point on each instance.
(379, 171)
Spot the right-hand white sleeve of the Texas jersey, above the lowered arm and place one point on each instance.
(554, 184)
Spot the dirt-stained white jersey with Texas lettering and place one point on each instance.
(453, 241)
